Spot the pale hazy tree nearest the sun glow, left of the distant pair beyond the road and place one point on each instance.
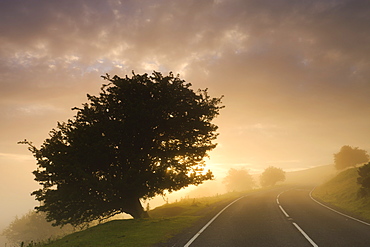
(238, 180)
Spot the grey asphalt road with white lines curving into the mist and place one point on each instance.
(278, 217)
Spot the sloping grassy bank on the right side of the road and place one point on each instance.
(342, 193)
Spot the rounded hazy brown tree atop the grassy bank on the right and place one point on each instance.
(349, 156)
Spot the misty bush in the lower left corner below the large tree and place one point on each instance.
(33, 227)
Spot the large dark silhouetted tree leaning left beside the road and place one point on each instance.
(141, 137)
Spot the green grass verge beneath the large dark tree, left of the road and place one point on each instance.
(166, 221)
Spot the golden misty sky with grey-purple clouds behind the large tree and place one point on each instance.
(295, 74)
